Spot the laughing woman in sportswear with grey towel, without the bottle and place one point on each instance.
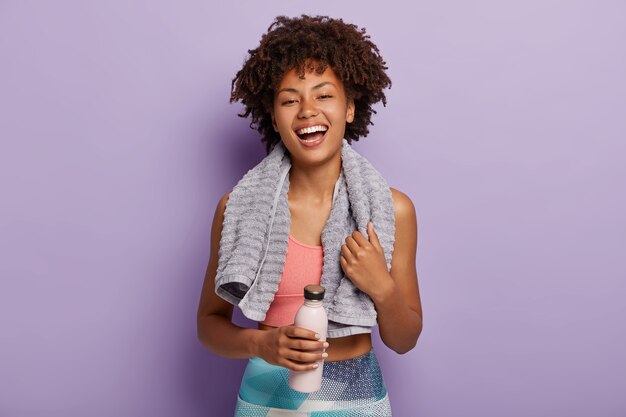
(310, 87)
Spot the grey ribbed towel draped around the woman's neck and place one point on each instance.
(256, 230)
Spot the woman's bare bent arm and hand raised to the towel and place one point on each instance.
(395, 293)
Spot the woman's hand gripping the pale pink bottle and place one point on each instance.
(292, 347)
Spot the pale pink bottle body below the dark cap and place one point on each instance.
(311, 315)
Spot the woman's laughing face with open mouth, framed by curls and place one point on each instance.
(310, 114)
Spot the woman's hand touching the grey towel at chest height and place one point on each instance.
(364, 261)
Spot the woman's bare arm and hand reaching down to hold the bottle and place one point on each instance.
(288, 346)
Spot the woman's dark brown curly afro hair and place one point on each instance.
(311, 43)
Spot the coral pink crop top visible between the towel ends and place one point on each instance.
(303, 266)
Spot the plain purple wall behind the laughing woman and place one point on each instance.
(505, 125)
